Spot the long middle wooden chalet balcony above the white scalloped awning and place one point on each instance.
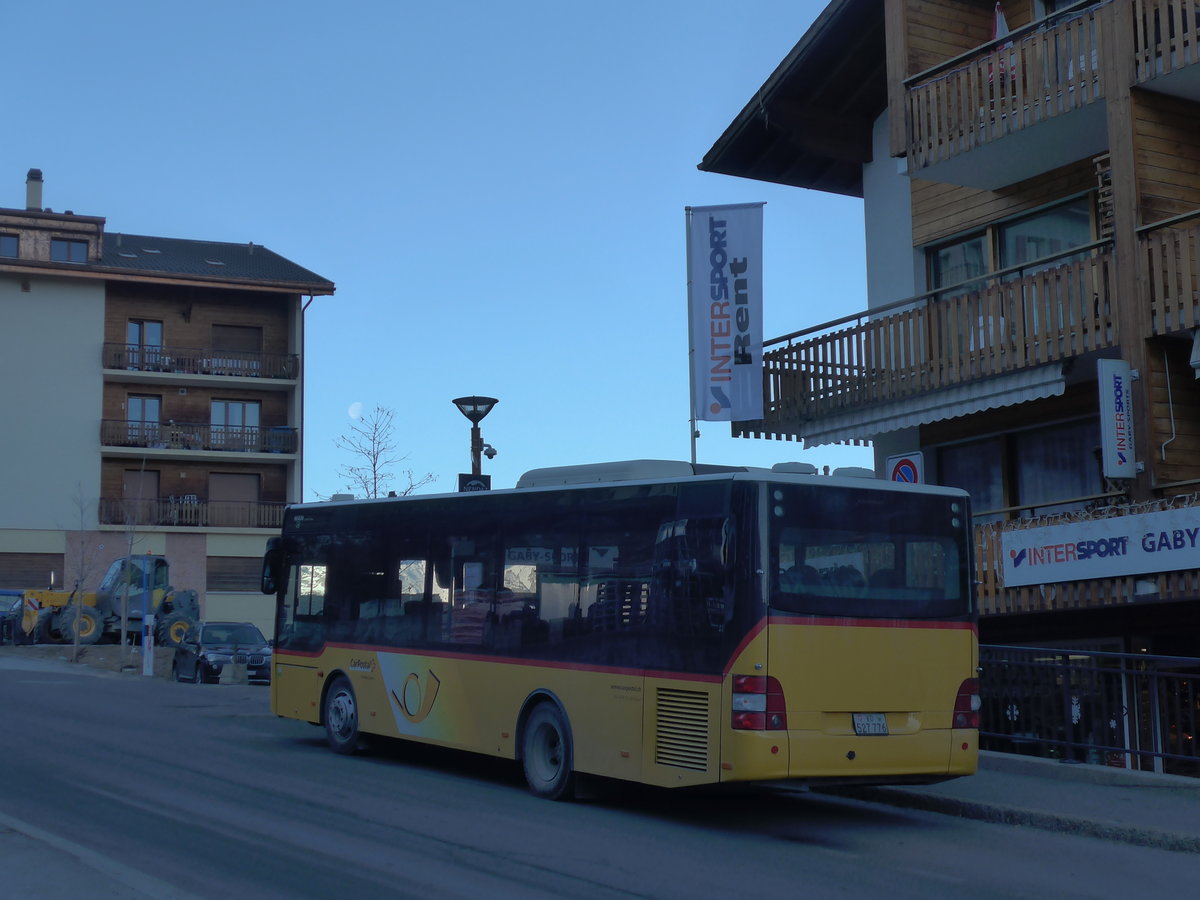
(1017, 320)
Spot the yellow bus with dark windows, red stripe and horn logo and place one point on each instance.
(655, 622)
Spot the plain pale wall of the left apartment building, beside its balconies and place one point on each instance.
(51, 340)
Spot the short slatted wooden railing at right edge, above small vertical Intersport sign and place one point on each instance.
(1171, 251)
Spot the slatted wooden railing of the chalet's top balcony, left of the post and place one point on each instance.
(1030, 76)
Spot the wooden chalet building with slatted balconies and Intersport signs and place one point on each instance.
(1031, 188)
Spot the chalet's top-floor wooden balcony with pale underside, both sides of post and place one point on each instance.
(1039, 91)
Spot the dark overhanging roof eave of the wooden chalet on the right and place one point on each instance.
(811, 123)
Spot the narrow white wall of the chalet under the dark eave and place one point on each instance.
(893, 269)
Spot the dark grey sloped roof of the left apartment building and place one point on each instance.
(208, 260)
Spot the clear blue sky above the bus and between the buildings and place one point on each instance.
(497, 190)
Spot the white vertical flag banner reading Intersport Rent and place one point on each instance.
(725, 311)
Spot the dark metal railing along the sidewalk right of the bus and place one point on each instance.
(1124, 710)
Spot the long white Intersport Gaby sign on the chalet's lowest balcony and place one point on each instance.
(1142, 544)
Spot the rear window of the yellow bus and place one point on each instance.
(861, 554)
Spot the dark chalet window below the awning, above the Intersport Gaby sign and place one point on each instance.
(1035, 472)
